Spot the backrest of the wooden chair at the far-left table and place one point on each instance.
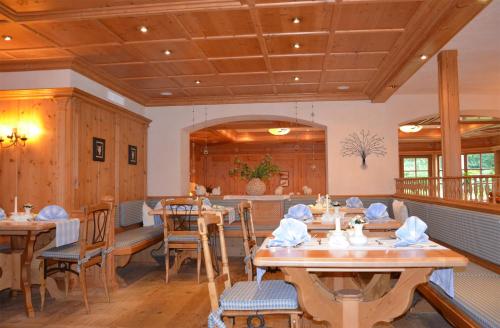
(98, 220)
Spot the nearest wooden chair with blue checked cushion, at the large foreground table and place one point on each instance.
(244, 298)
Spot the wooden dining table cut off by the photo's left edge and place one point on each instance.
(28, 231)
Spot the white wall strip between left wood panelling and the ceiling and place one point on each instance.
(63, 78)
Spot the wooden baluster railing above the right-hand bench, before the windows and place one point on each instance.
(480, 188)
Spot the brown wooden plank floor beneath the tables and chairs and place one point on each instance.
(147, 302)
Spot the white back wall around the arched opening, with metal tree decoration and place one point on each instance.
(168, 154)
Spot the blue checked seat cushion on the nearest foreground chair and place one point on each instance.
(272, 295)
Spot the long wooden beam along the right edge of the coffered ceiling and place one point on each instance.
(435, 23)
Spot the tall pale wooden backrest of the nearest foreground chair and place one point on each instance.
(214, 283)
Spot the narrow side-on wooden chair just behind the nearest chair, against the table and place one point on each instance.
(248, 232)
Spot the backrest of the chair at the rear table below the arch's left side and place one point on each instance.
(177, 212)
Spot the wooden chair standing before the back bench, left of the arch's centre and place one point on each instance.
(178, 234)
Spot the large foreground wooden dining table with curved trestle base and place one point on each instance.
(347, 306)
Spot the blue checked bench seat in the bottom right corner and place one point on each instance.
(477, 293)
